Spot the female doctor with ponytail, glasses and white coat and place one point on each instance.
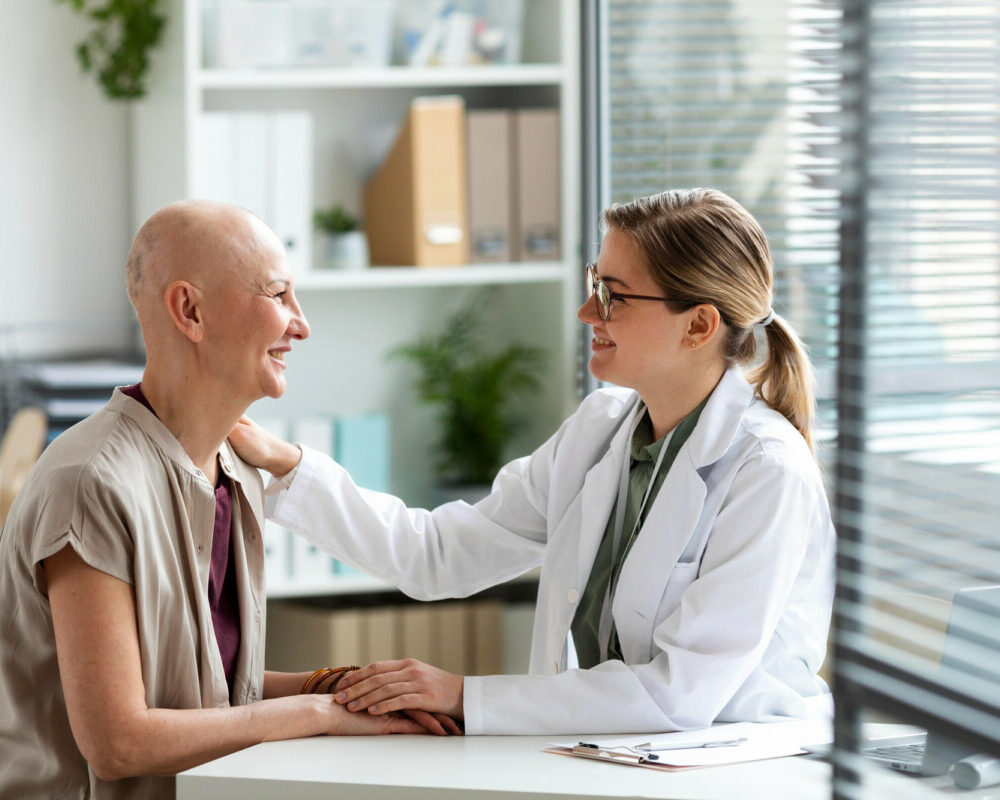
(681, 523)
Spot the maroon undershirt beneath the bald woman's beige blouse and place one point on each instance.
(223, 598)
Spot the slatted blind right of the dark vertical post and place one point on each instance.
(919, 515)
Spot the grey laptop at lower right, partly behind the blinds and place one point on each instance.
(972, 624)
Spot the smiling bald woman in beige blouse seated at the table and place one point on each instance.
(131, 565)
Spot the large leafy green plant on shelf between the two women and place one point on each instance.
(472, 390)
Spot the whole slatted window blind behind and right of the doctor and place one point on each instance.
(864, 135)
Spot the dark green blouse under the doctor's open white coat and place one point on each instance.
(645, 451)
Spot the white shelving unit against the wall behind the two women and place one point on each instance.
(357, 316)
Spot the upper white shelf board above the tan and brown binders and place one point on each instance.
(381, 77)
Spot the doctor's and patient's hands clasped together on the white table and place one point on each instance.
(428, 695)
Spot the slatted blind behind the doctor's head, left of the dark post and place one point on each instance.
(740, 97)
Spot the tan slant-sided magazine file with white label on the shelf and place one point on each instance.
(415, 205)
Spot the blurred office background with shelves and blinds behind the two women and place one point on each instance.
(864, 135)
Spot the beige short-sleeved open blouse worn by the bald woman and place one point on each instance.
(122, 492)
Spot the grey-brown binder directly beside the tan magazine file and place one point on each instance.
(489, 139)
